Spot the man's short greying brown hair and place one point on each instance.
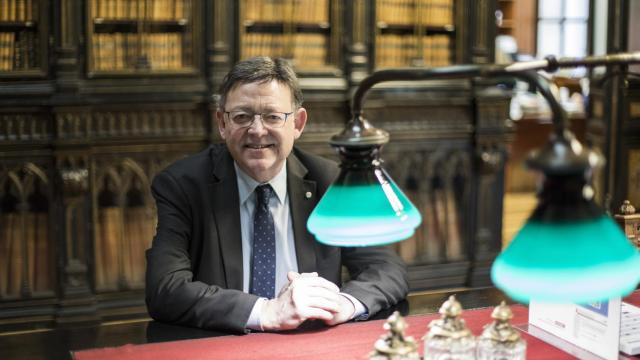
(261, 69)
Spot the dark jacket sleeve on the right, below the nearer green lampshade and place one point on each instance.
(378, 277)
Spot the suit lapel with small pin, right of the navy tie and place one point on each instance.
(302, 200)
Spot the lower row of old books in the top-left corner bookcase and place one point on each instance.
(18, 50)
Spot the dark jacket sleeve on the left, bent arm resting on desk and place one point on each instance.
(172, 294)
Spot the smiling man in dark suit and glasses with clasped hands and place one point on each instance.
(232, 251)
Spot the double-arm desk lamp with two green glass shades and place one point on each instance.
(568, 251)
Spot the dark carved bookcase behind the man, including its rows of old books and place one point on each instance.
(132, 87)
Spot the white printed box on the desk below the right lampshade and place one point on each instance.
(593, 327)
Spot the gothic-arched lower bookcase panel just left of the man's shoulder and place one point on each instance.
(125, 219)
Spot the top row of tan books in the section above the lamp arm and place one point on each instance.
(409, 12)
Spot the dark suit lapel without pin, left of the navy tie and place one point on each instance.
(226, 213)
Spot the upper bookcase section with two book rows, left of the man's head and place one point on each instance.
(130, 37)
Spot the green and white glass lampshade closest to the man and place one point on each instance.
(363, 208)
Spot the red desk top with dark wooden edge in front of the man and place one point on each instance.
(58, 343)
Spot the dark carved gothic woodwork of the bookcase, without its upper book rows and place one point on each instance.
(79, 150)
